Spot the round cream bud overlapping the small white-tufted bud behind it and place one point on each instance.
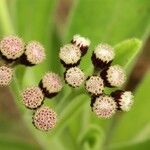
(70, 55)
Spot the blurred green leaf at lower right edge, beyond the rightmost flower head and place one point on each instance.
(134, 126)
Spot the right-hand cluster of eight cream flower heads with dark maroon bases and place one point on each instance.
(106, 75)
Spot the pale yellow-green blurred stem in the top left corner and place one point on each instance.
(5, 20)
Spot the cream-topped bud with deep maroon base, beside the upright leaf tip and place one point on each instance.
(103, 55)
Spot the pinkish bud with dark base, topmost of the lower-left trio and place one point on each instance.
(51, 84)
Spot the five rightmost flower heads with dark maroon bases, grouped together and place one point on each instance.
(103, 105)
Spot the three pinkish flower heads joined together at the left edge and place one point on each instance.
(13, 50)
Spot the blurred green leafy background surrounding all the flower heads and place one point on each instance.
(125, 24)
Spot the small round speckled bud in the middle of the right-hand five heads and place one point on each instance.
(94, 85)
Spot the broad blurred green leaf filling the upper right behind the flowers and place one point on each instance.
(107, 21)
